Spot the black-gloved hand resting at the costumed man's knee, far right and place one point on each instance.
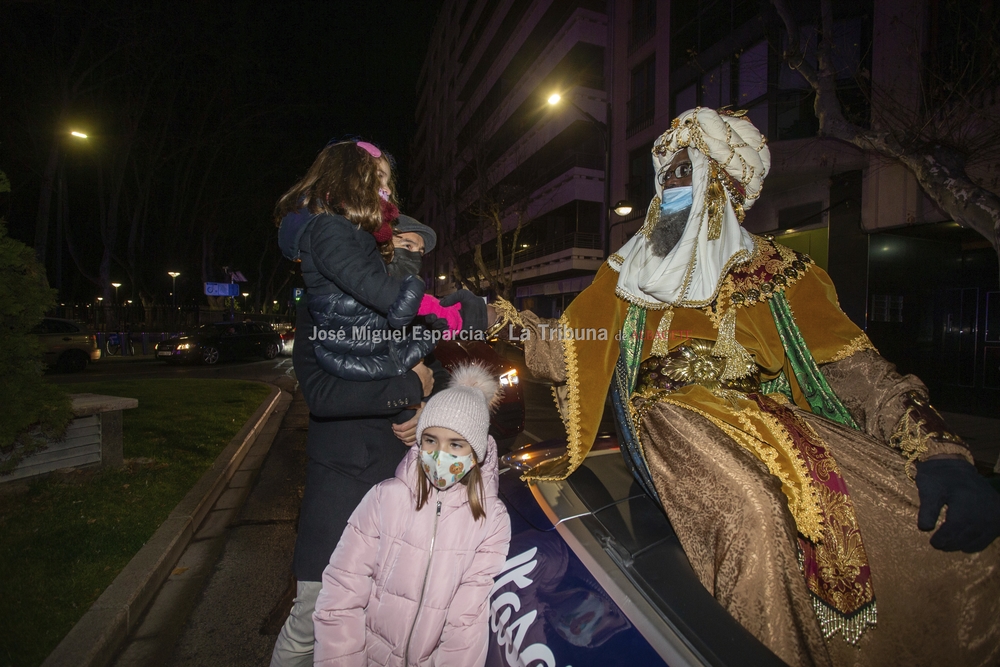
(973, 519)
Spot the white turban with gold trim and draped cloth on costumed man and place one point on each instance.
(729, 160)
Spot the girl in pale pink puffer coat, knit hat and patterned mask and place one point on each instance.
(410, 580)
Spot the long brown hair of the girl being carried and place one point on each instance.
(344, 180)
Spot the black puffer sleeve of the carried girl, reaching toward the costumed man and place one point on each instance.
(341, 258)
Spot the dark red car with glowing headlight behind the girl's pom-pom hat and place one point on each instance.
(507, 421)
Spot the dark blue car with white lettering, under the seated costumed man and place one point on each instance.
(595, 575)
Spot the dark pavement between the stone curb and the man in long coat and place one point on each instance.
(224, 602)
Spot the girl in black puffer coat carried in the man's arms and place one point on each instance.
(344, 241)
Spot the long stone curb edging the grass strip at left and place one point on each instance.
(99, 634)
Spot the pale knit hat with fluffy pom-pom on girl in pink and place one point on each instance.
(464, 407)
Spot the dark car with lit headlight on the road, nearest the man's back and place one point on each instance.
(211, 343)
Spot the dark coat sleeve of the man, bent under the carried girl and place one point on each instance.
(329, 396)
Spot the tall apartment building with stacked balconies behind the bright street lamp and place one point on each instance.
(488, 139)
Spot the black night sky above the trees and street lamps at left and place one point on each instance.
(200, 115)
